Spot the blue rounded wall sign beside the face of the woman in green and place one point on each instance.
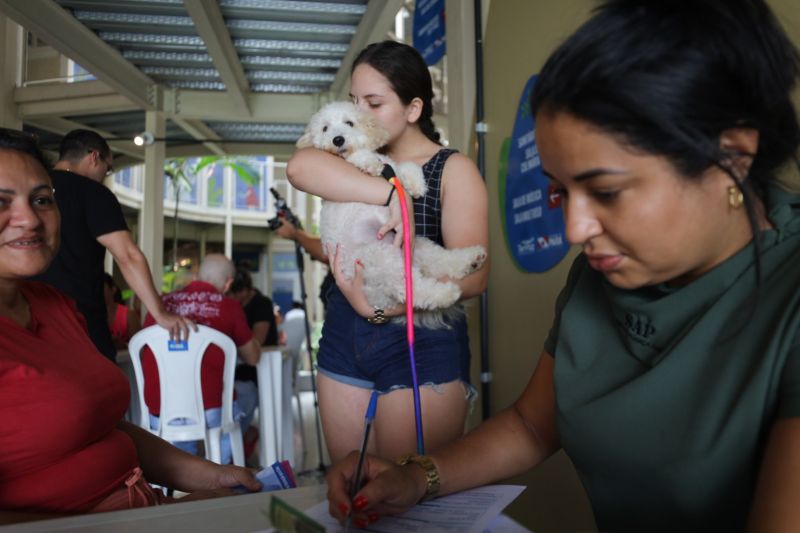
(534, 223)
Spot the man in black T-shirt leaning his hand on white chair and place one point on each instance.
(91, 222)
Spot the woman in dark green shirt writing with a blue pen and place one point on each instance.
(671, 376)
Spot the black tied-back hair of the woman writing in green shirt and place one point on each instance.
(668, 77)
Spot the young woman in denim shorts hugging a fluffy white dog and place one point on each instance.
(391, 81)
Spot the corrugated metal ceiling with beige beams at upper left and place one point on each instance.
(228, 76)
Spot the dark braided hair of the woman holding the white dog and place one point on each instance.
(408, 75)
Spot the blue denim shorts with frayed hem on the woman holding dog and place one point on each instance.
(376, 357)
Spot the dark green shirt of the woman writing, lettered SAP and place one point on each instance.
(665, 395)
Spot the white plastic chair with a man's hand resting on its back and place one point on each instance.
(181, 388)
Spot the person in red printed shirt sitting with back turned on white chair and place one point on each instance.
(204, 302)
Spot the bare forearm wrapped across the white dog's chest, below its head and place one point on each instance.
(332, 178)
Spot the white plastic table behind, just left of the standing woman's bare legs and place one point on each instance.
(276, 424)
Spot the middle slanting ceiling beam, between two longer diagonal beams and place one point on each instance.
(211, 28)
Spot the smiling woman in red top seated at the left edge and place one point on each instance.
(63, 446)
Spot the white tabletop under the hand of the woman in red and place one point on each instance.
(245, 513)
